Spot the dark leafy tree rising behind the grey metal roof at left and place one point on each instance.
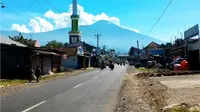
(20, 38)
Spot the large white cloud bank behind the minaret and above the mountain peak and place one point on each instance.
(62, 20)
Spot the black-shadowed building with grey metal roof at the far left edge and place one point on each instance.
(15, 58)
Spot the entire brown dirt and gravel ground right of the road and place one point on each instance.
(140, 93)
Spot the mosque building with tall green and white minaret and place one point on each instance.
(84, 56)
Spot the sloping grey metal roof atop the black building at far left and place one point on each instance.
(8, 41)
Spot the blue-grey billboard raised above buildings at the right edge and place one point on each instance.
(194, 31)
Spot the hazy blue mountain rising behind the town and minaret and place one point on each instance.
(113, 36)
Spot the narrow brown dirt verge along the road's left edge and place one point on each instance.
(9, 90)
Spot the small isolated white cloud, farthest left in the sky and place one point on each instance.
(20, 28)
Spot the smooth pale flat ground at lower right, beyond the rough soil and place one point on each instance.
(182, 89)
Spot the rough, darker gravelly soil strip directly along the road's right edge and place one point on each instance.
(138, 93)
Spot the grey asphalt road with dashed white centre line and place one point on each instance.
(95, 91)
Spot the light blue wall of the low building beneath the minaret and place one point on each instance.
(70, 62)
